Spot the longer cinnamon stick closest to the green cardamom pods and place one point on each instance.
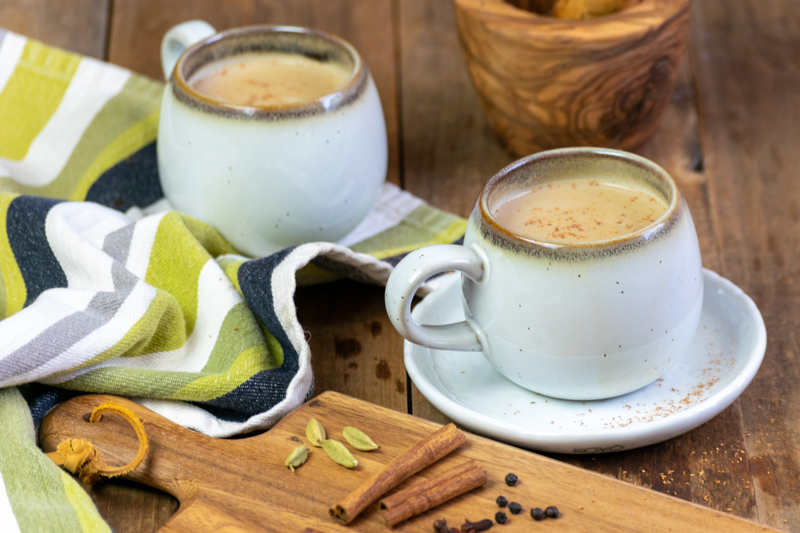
(419, 456)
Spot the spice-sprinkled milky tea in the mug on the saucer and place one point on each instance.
(580, 210)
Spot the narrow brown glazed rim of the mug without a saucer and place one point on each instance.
(343, 95)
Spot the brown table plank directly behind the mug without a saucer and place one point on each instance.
(138, 26)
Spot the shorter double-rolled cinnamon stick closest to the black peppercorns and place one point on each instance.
(434, 492)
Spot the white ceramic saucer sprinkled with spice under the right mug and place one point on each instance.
(722, 360)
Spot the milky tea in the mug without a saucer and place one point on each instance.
(268, 79)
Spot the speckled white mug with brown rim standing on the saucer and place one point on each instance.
(578, 321)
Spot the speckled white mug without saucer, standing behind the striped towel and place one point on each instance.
(272, 176)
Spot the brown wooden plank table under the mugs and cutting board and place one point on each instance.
(731, 139)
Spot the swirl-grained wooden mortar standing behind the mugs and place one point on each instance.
(550, 83)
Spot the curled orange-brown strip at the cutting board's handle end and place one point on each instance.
(81, 457)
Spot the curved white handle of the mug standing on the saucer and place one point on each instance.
(412, 272)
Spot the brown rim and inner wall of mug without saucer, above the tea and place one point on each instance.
(313, 44)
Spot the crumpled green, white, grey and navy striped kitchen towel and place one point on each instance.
(104, 289)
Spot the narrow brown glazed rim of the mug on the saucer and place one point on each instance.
(663, 223)
